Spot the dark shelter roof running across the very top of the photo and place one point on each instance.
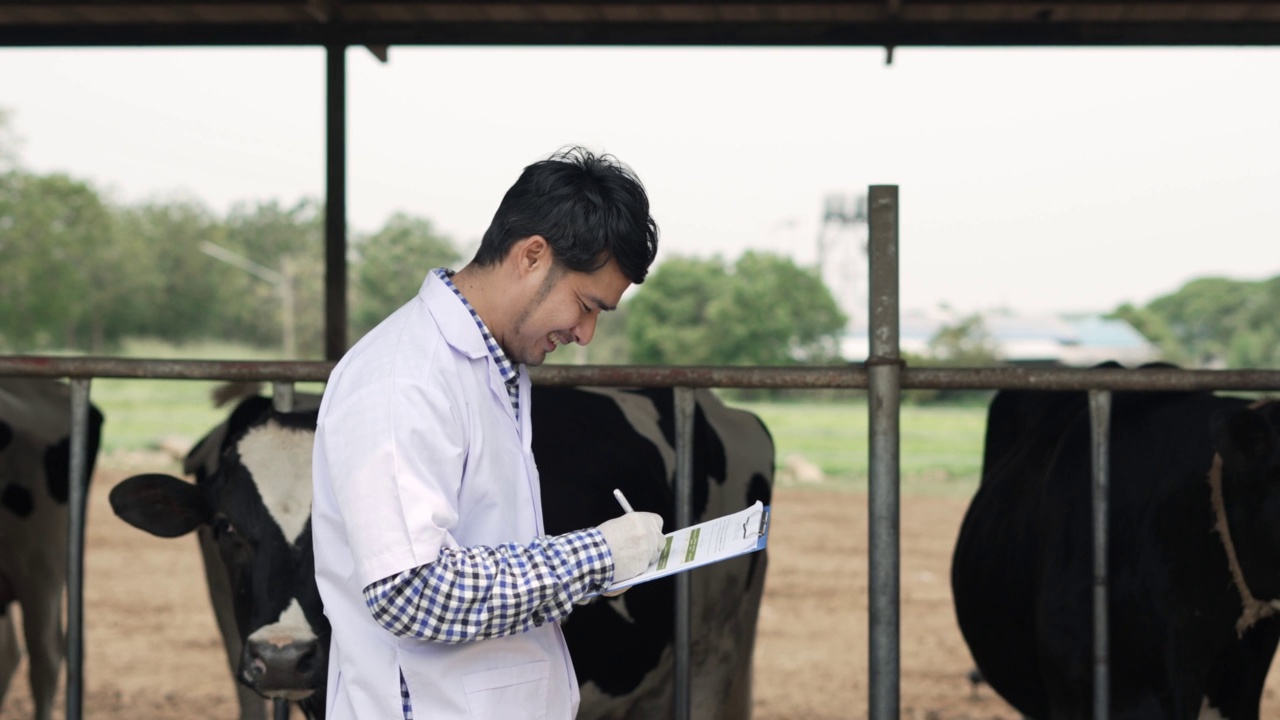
(638, 22)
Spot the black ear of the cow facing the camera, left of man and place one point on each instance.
(161, 505)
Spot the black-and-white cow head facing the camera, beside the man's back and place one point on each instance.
(257, 504)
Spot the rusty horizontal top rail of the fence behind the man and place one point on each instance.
(839, 377)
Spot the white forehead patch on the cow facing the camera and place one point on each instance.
(280, 461)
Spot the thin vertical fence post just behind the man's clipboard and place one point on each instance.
(685, 407)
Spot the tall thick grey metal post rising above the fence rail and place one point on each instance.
(884, 371)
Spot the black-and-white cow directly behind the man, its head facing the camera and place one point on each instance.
(587, 443)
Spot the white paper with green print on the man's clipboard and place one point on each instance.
(707, 543)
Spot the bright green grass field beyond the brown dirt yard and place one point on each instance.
(941, 446)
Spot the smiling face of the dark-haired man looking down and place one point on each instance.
(564, 311)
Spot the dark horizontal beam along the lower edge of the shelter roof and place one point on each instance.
(811, 34)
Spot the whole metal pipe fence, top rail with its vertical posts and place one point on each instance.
(884, 448)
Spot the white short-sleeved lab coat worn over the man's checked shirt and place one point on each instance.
(418, 449)
